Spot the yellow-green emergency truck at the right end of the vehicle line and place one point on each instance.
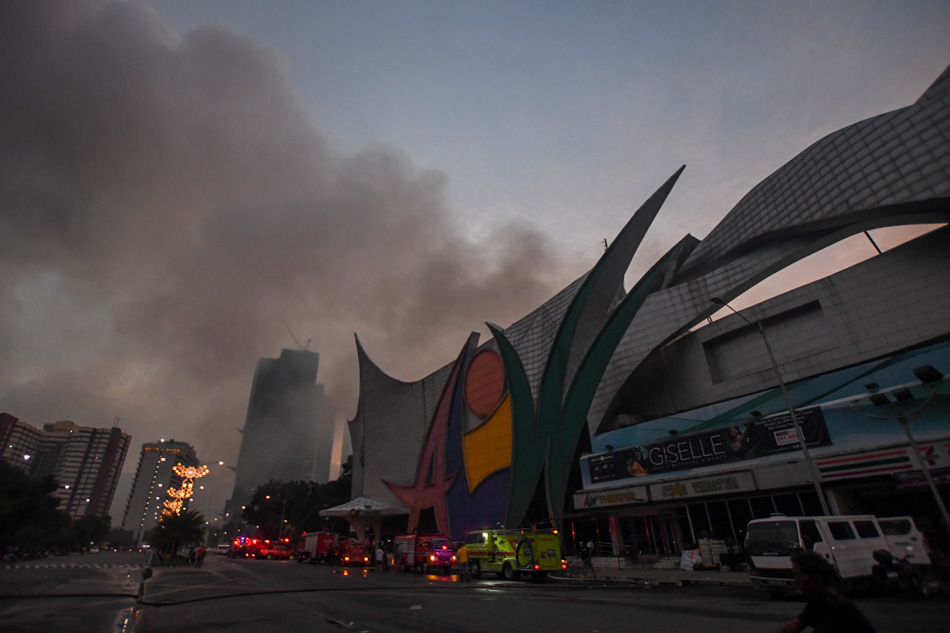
(511, 553)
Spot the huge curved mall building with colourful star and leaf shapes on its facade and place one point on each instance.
(637, 419)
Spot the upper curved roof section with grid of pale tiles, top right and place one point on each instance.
(895, 158)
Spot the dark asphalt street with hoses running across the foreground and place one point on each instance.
(240, 596)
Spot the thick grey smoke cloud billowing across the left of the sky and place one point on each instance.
(166, 205)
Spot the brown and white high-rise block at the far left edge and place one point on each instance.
(85, 461)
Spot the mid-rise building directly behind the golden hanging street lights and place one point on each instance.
(153, 477)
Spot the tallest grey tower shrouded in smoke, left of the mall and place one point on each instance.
(288, 431)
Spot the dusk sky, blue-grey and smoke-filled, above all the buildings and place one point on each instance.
(189, 186)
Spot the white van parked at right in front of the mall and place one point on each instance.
(847, 542)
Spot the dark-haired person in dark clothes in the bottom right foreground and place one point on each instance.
(827, 609)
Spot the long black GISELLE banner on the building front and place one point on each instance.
(756, 438)
